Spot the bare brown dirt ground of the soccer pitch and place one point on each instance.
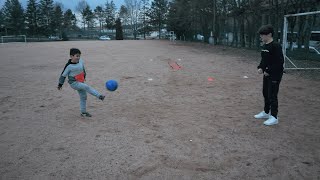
(178, 125)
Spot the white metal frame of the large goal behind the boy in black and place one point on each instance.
(285, 36)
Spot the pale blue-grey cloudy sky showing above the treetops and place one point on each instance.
(71, 4)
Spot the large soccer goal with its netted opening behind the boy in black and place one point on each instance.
(301, 40)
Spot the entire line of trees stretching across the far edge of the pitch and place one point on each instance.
(187, 18)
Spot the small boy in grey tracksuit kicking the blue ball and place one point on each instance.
(76, 73)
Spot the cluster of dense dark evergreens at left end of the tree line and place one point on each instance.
(39, 18)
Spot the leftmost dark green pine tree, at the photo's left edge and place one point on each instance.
(13, 17)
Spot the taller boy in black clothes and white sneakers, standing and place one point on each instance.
(271, 66)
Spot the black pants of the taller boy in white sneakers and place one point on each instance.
(270, 94)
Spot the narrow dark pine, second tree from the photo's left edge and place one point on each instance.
(32, 17)
